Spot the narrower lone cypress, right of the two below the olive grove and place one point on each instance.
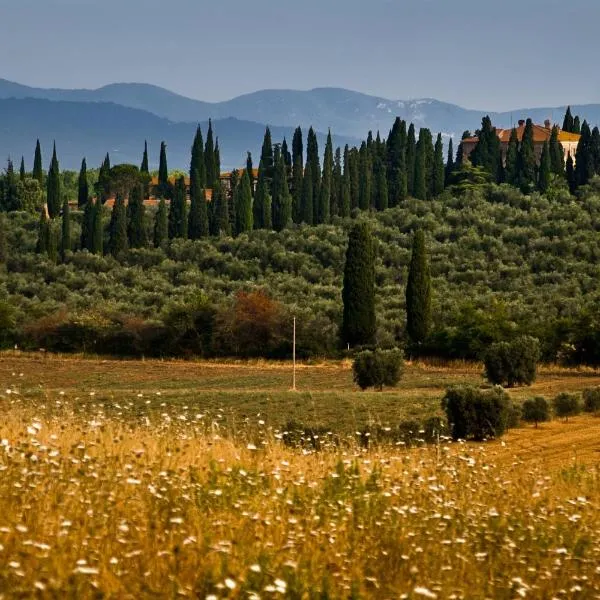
(418, 292)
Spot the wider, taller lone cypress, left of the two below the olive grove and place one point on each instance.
(358, 294)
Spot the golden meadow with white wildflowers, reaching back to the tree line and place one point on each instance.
(148, 479)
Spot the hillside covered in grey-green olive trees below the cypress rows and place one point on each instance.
(502, 264)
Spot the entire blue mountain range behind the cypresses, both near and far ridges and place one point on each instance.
(118, 117)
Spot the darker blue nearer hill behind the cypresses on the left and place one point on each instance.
(91, 129)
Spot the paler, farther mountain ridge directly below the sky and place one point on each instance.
(344, 111)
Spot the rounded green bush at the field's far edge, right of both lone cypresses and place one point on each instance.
(512, 363)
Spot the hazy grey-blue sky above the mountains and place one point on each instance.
(484, 54)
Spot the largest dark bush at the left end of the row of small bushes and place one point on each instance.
(477, 414)
